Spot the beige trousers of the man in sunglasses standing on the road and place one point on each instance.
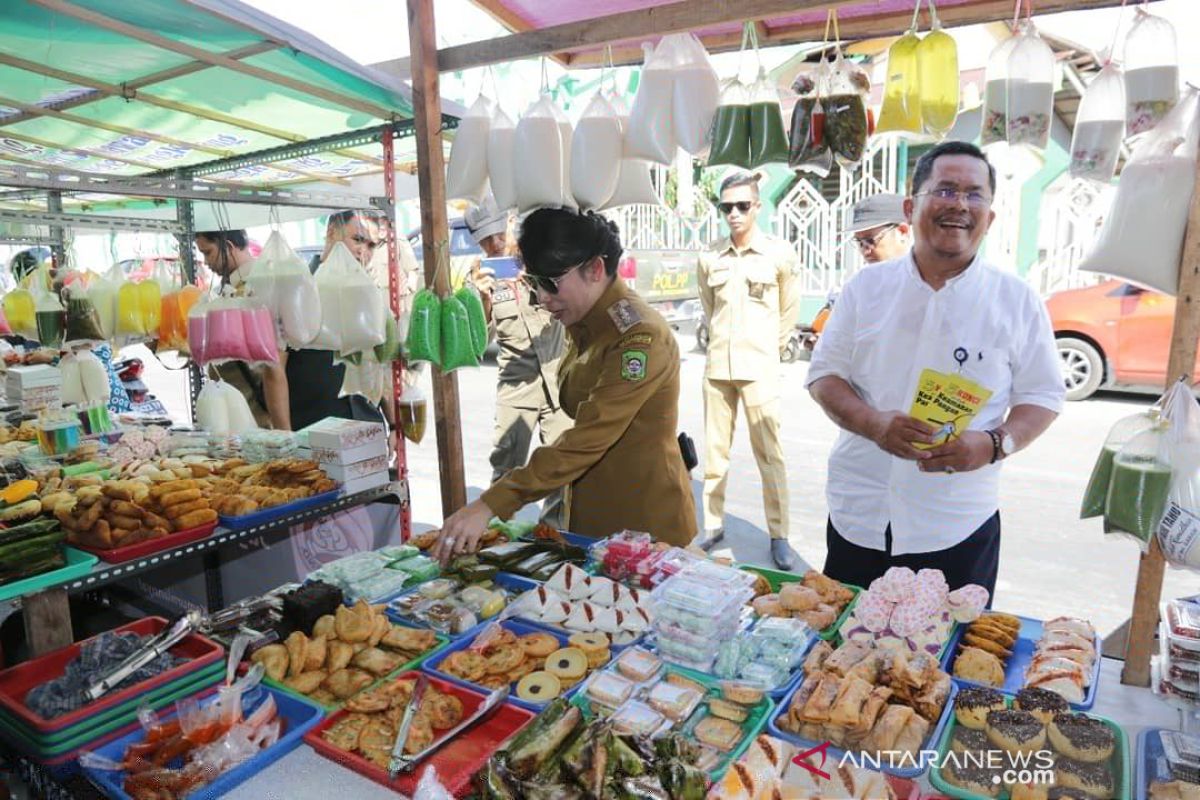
(763, 416)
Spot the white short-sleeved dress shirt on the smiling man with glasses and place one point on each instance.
(889, 326)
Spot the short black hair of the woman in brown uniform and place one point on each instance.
(555, 240)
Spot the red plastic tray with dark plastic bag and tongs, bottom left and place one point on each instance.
(16, 682)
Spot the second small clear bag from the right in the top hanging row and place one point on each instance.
(1100, 128)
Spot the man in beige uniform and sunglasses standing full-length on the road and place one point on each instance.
(751, 293)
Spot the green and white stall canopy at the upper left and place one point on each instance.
(135, 89)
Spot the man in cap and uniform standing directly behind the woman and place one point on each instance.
(531, 347)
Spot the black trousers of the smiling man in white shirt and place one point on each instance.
(976, 560)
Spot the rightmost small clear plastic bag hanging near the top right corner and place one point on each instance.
(1153, 73)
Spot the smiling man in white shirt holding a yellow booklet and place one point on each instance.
(939, 308)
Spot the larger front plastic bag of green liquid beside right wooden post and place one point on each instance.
(1141, 484)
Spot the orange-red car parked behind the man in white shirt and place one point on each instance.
(1113, 336)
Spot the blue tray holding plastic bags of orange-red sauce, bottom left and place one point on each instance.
(299, 717)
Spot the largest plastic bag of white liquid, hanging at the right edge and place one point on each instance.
(1142, 239)
